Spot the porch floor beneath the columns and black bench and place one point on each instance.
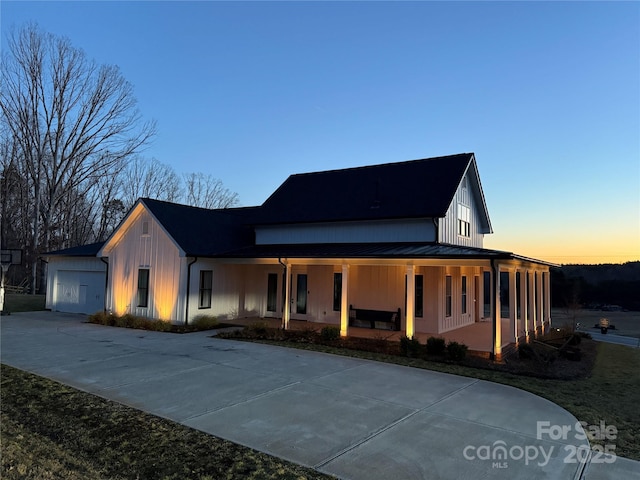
(477, 336)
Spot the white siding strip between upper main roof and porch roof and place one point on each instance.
(405, 230)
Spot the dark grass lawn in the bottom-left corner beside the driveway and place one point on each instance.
(49, 430)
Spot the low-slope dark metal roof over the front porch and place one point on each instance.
(365, 250)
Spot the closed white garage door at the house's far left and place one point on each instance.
(79, 292)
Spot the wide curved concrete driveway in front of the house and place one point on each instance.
(351, 418)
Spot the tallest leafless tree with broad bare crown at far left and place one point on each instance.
(73, 121)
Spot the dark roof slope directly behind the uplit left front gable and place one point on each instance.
(204, 232)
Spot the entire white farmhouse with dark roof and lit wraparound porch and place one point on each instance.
(396, 246)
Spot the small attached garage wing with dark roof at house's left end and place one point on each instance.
(76, 280)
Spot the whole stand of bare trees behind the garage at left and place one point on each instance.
(71, 149)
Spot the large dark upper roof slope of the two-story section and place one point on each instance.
(413, 189)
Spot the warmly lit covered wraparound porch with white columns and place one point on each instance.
(485, 299)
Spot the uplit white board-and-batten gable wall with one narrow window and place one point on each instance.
(146, 245)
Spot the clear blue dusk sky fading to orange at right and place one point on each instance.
(547, 95)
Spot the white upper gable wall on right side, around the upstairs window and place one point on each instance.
(448, 231)
